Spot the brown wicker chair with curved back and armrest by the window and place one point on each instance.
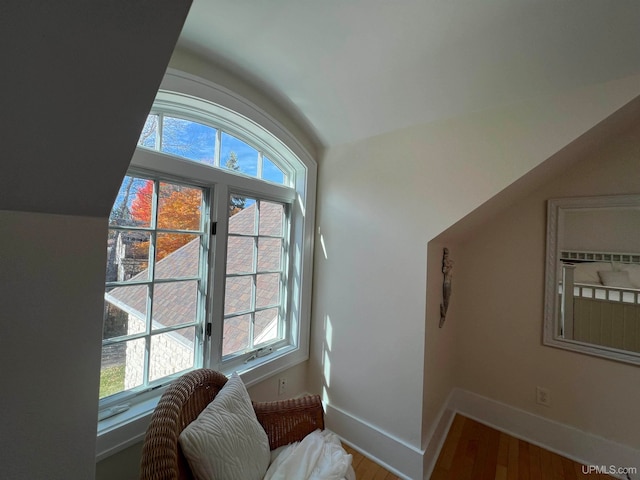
(285, 422)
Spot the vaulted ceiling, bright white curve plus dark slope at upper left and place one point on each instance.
(346, 69)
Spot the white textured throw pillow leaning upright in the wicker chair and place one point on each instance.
(226, 441)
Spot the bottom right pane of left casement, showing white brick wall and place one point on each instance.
(171, 352)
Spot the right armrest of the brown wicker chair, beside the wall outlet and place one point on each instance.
(289, 421)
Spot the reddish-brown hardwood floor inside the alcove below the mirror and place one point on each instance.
(476, 452)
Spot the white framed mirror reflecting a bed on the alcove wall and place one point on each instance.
(592, 285)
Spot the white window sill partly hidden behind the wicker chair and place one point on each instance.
(129, 427)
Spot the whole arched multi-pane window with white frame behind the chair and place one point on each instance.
(209, 248)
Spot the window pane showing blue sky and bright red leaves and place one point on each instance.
(132, 207)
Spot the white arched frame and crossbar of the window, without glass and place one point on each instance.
(199, 100)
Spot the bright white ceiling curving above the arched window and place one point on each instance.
(355, 68)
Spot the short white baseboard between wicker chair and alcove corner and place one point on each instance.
(394, 454)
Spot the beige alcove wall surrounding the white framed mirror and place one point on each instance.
(498, 314)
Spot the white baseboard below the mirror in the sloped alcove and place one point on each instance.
(562, 439)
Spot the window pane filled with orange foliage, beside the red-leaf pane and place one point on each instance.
(179, 207)
